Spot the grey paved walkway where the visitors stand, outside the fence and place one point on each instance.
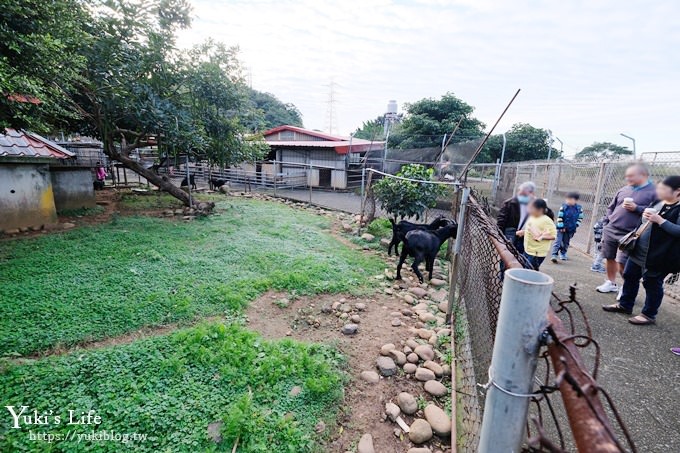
(637, 369)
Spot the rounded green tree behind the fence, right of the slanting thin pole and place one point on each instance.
(523, 142)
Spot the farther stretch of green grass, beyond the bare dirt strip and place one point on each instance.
(102, 281)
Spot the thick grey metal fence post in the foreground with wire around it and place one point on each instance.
(521, 321)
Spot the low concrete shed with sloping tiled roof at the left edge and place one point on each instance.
(36, 181)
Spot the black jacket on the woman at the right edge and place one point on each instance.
(664, 243)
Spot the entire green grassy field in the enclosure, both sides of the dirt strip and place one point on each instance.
(101, 281)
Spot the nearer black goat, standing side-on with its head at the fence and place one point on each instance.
(423, 245)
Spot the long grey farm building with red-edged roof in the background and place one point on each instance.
(323, 159)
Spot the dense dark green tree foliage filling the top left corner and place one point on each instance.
(39, 62)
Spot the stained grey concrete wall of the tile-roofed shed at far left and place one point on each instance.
(26, 196)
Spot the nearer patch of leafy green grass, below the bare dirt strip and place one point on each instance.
(170, 388)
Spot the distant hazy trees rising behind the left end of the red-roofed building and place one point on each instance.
(267, 112)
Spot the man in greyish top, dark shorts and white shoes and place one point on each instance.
(623, 216)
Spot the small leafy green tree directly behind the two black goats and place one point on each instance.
(405, 198)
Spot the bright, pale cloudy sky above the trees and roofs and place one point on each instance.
(588, 70)
